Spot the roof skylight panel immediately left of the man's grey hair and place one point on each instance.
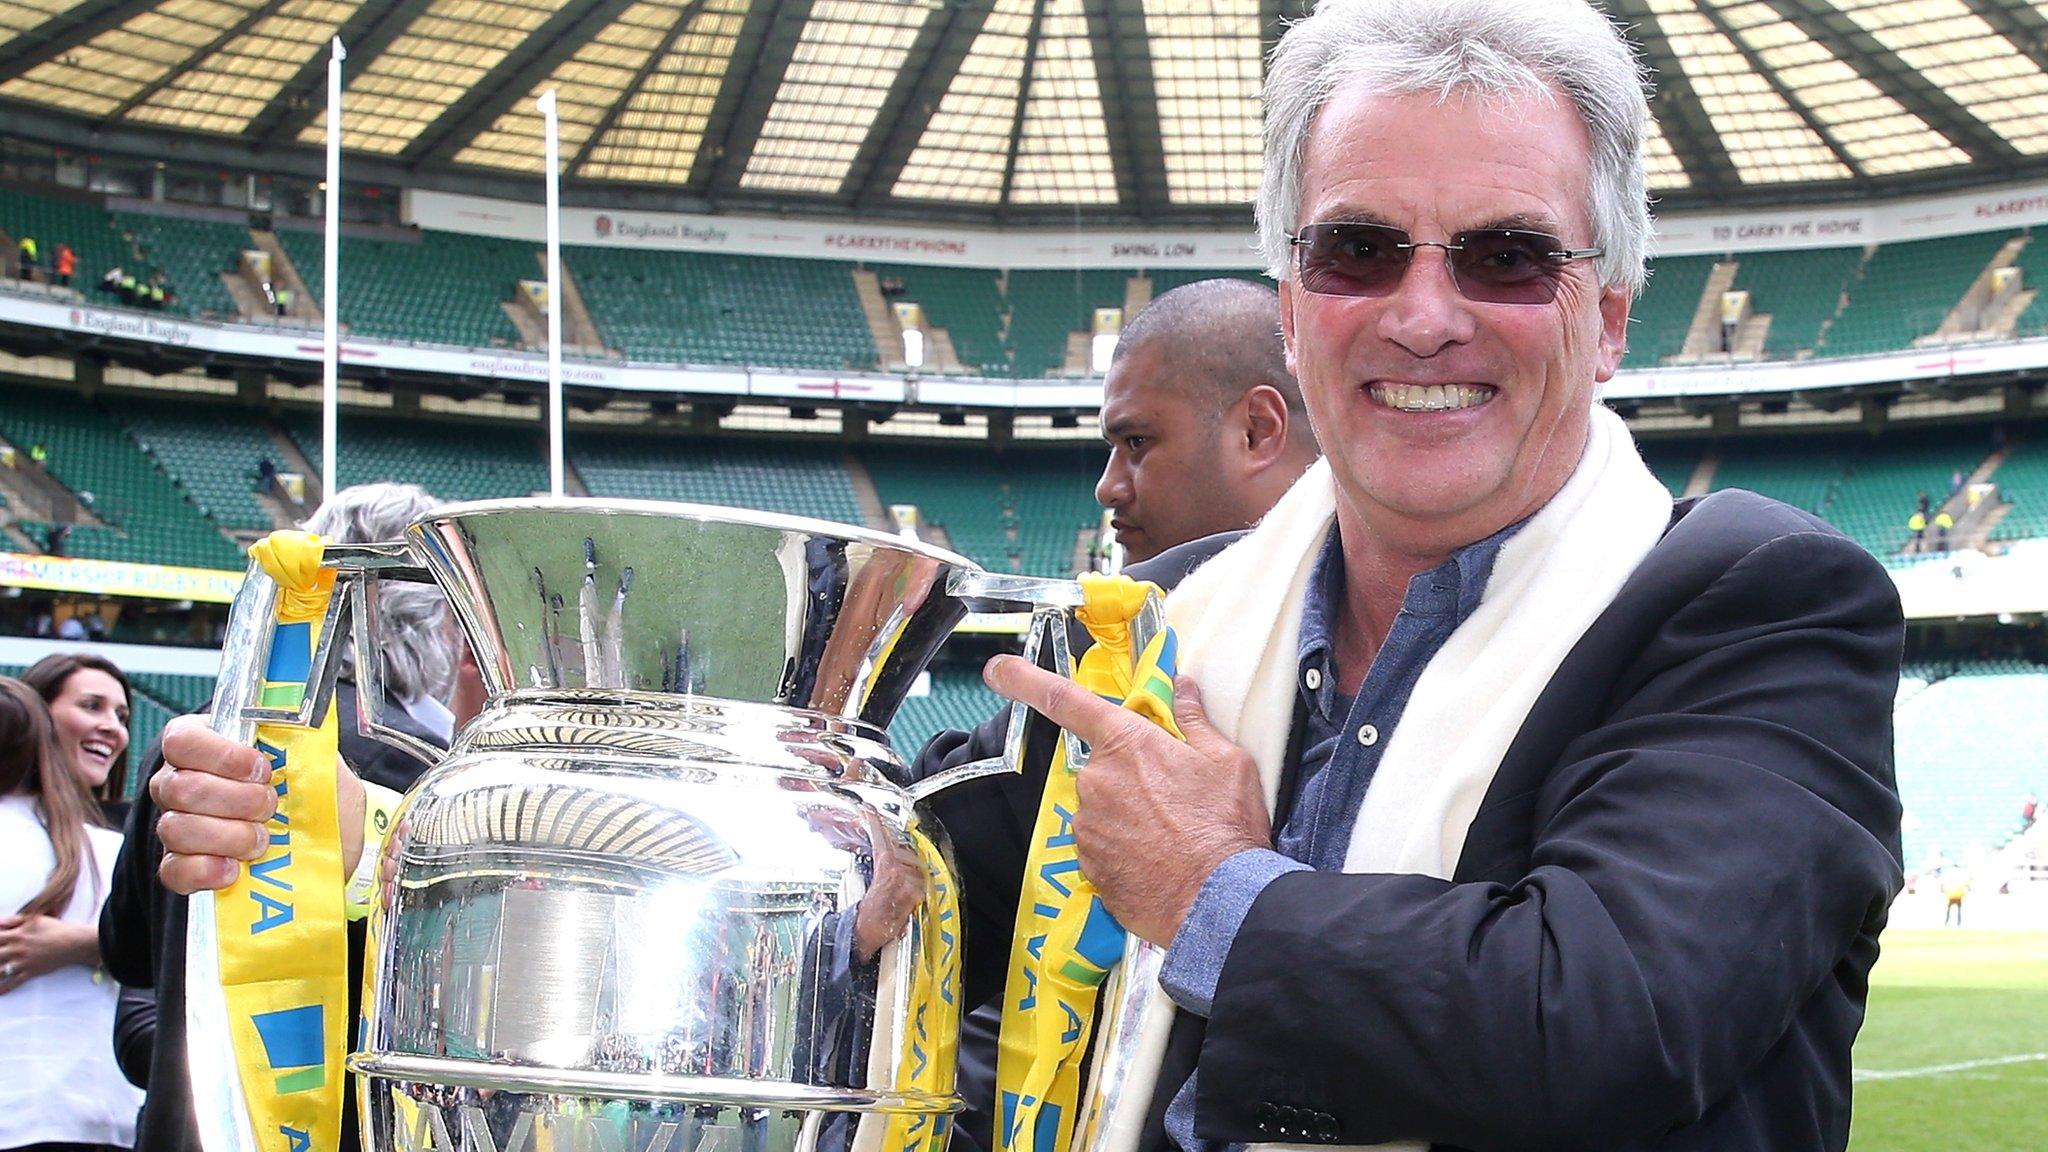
(1207, 79)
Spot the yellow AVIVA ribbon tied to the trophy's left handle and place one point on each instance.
(280, 928)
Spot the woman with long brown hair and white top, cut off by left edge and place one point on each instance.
(58, 1081)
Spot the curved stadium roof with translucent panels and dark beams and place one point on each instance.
(996, 110)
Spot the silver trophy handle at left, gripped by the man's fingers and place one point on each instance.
(220, 1108)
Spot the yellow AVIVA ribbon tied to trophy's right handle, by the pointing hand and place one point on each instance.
(1066, 942)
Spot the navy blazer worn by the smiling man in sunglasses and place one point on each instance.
(1664, 919)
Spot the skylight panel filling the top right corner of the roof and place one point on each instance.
(1955, 48)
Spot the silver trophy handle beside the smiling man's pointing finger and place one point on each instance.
(1052, 606)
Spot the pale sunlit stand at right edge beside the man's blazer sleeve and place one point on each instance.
(1971, 745)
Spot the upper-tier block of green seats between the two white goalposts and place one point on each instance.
(404, 290)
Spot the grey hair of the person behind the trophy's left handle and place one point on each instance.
(413, 620)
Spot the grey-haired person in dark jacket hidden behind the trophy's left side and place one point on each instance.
(142, 925)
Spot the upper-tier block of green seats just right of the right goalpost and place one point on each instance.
(724, 311)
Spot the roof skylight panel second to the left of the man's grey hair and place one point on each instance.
(1064, 153)
